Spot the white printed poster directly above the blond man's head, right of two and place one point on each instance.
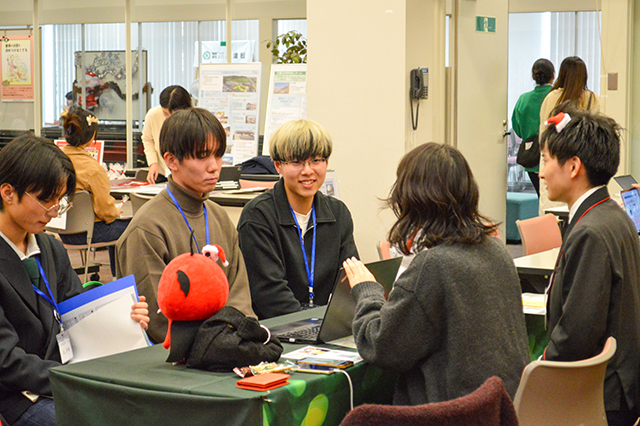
(287, 98)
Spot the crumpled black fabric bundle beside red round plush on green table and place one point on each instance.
(230, 339)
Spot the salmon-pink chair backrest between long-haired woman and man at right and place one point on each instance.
(539, 233)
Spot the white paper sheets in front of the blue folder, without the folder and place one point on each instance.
(107, 331)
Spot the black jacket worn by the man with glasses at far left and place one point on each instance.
(28, 346)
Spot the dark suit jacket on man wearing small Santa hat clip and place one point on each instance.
(596, 294)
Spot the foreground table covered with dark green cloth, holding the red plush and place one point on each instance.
(139, 387)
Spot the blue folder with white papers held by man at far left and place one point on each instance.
(99, 321)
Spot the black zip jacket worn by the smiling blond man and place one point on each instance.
(272, 254)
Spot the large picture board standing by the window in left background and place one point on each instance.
(105, 83)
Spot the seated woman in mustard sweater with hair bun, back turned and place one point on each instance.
(79, 130)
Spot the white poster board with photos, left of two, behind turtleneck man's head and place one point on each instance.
(232, 93)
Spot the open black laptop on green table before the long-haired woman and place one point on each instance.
(337, 320)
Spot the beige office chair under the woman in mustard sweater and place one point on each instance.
(81, 218)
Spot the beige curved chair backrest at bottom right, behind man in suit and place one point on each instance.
(564, 393)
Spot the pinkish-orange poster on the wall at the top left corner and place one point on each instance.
(16, 55)
